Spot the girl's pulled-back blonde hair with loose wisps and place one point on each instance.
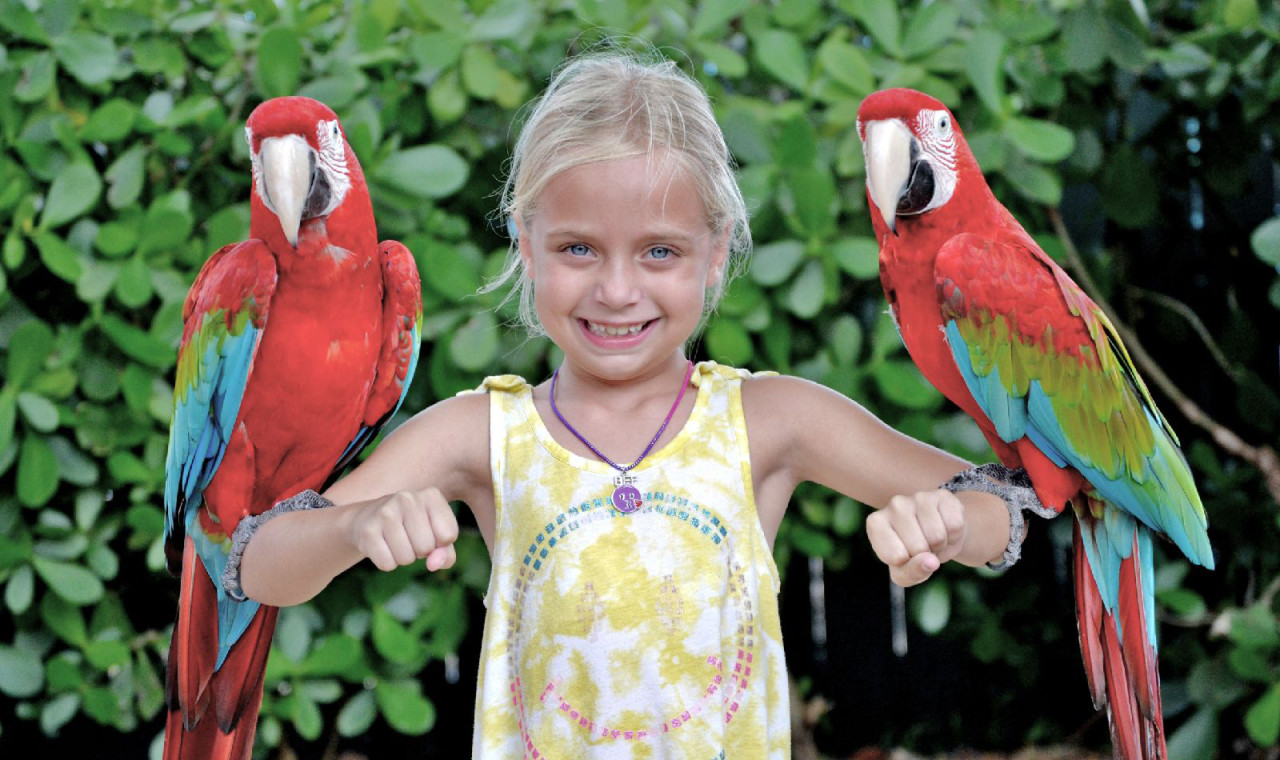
(611, 104)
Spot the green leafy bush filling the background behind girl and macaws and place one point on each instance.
(124, 166)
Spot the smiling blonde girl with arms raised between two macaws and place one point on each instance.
(630, 502)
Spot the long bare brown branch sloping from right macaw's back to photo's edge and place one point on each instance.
(1263, 457)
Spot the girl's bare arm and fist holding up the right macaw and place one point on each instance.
(803, 432)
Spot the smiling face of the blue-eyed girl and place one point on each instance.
(621, 258)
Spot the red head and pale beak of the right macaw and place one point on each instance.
(915, 150)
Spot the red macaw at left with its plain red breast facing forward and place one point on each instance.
(299, 345)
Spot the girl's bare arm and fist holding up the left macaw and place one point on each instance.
(394, 509)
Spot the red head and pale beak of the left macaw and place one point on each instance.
(301, 164)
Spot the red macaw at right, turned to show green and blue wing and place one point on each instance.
(1003, 332)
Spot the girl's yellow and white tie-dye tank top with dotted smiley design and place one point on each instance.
(611, 635)
